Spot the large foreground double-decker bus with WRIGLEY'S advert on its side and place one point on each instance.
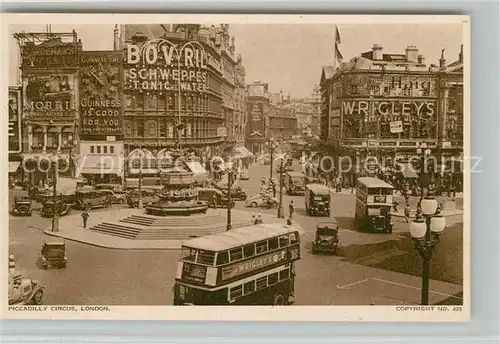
(251, 265)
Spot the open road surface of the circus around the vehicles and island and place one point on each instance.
(380, 269)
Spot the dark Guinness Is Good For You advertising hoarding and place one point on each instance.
(100, 103)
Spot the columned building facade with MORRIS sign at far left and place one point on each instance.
(50, 97)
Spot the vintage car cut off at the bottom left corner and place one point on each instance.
(23, 291)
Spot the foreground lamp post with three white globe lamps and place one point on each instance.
(425, 230)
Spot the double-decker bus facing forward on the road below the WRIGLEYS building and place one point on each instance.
(373, 205)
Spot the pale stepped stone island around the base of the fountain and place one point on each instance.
(133, 229)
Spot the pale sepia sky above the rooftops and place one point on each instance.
(290, 57)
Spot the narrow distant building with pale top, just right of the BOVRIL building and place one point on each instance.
(257, 113)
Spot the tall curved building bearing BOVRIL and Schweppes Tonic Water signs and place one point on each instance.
(173, 79)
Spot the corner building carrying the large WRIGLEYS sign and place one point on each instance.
(383, 105)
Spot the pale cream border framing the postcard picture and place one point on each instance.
(253, 313)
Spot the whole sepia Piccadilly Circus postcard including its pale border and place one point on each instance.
(285, 163)
